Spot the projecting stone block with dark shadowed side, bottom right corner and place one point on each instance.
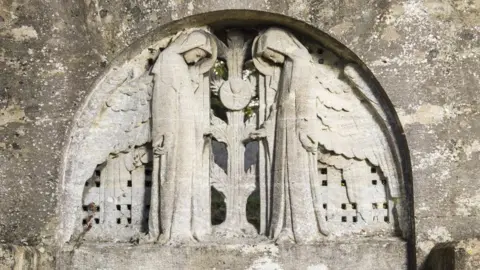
(460, 255)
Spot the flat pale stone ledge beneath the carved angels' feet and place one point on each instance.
(366, 254)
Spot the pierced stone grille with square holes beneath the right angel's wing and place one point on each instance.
(368, 213)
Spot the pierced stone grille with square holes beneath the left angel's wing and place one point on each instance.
(116, 201)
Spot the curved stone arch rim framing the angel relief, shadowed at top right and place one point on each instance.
(77, 167)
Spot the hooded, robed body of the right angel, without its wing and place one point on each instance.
(295, 214)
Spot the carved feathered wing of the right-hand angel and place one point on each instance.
(352, 128)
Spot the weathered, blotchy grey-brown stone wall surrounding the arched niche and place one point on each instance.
(424, 53)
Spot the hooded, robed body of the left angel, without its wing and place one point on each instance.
(177, 74)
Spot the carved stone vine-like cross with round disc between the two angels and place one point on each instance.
(235, 94)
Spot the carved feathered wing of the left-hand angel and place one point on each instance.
(125, 119)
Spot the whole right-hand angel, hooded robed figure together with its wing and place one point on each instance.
(312, 119)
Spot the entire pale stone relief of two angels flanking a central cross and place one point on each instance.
(327, 163)
